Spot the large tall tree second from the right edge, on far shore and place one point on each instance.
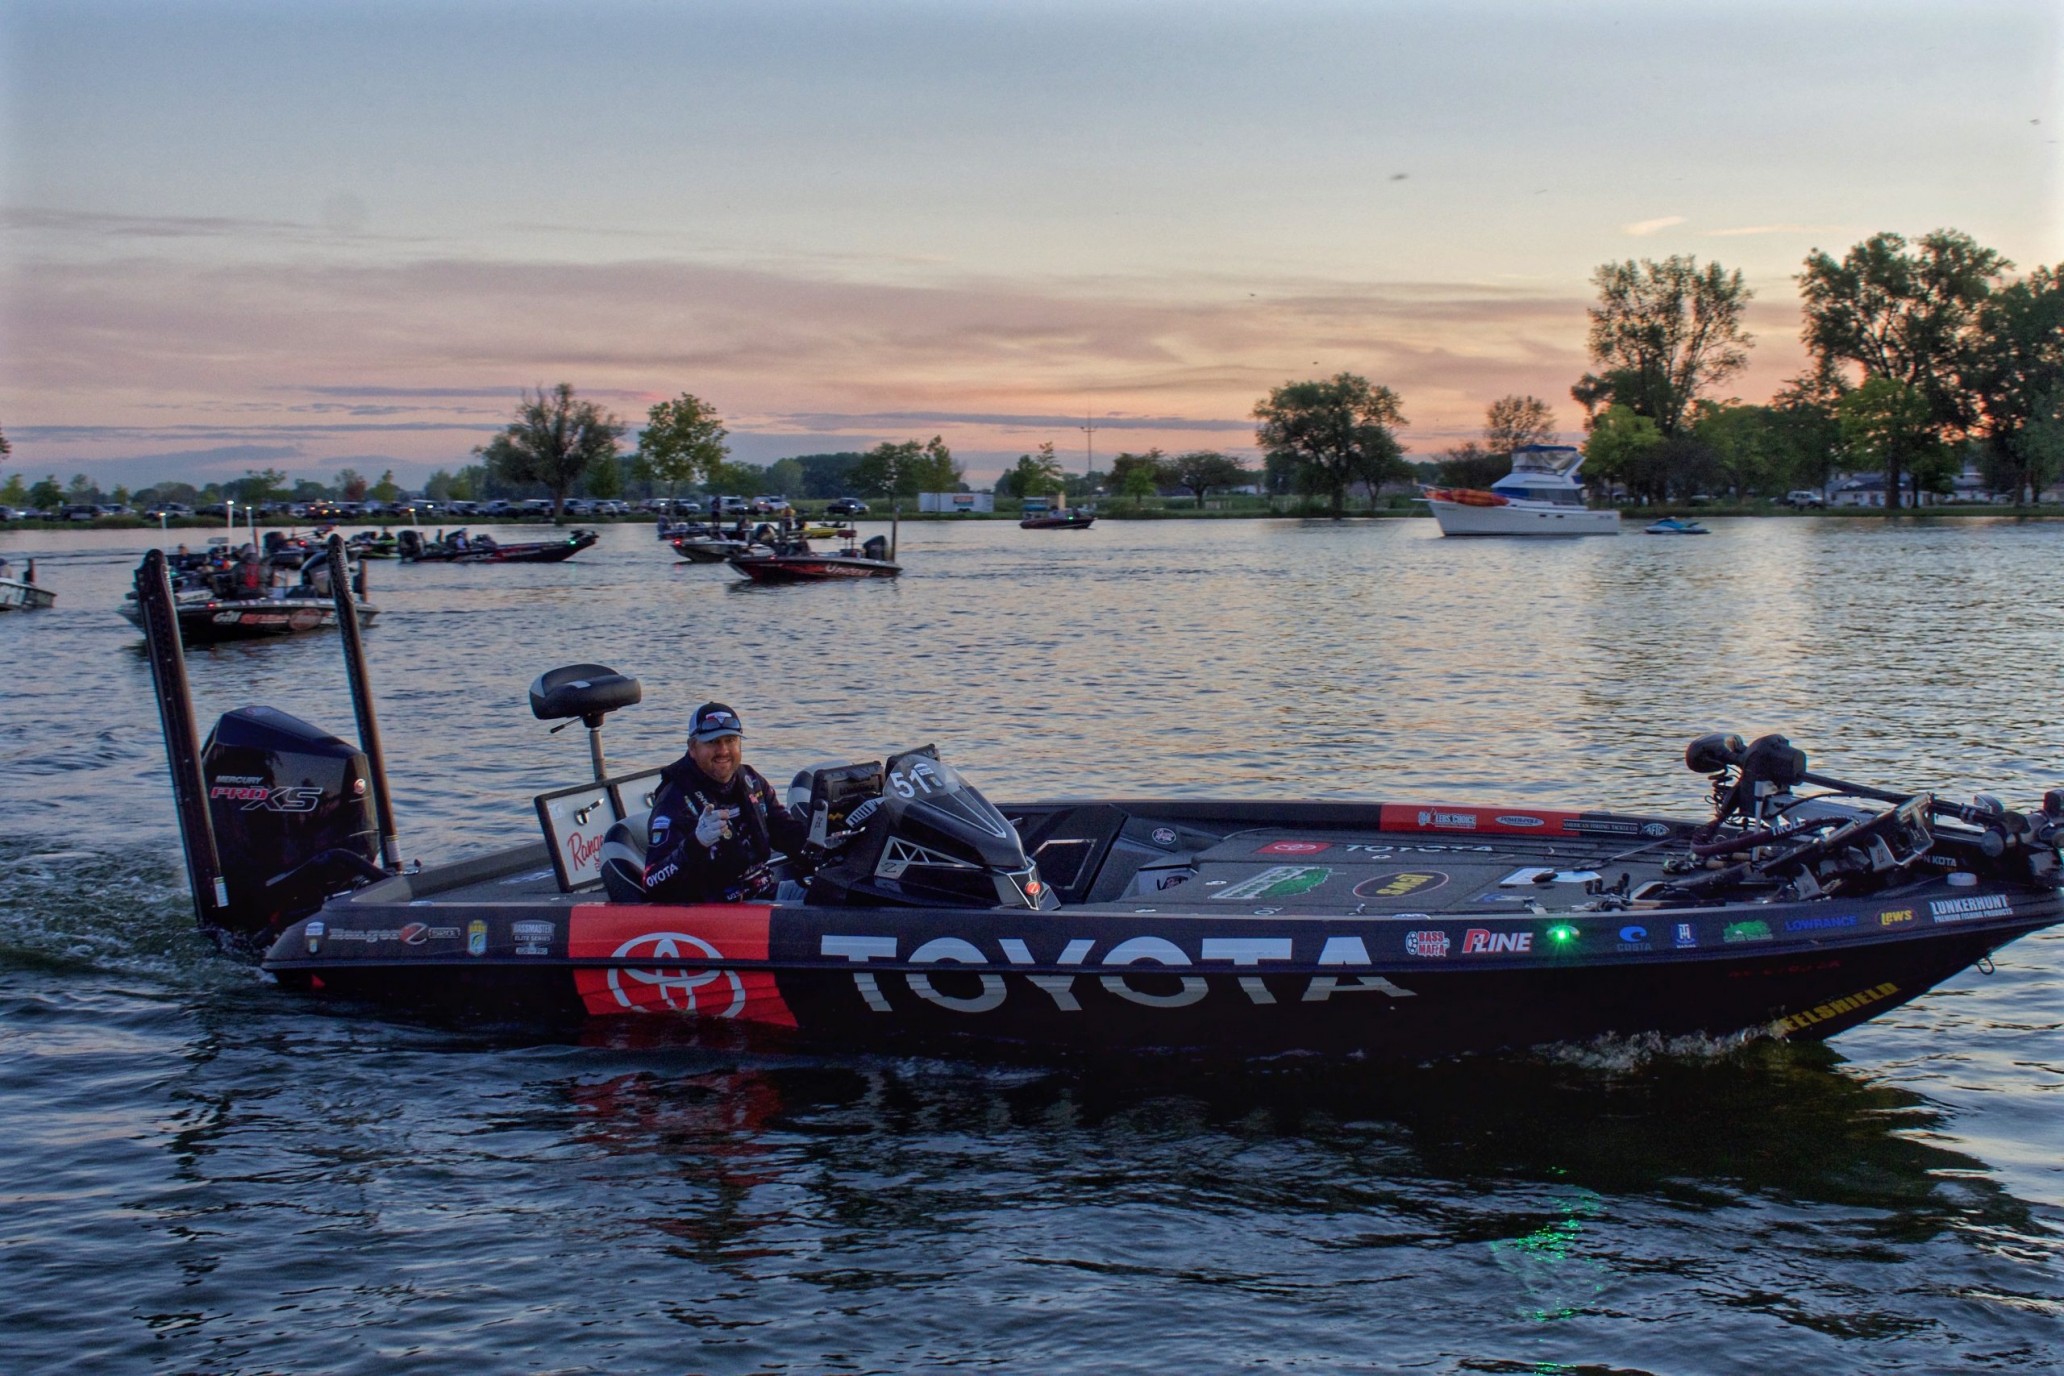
(1908, 315)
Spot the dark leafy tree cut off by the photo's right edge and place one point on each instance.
(2018, 379)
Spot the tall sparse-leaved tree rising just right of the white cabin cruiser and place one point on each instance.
(1667, 331)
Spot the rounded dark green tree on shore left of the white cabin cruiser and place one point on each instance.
(1334, 434)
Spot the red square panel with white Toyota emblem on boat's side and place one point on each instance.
(674, 960)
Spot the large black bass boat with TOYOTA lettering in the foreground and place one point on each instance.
(924, 915)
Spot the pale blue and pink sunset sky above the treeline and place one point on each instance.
(319, 236)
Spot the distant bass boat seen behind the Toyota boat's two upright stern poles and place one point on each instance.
(220, 597)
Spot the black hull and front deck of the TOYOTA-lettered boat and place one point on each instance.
(1334, 929)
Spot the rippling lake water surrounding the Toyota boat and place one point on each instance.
(205, 1175)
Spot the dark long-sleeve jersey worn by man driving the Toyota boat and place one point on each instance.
(736, 867)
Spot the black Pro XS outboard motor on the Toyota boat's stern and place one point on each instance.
(294, 818)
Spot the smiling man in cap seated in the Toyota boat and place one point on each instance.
(715, 820)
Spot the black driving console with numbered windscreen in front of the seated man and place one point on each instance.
(928, 841)
